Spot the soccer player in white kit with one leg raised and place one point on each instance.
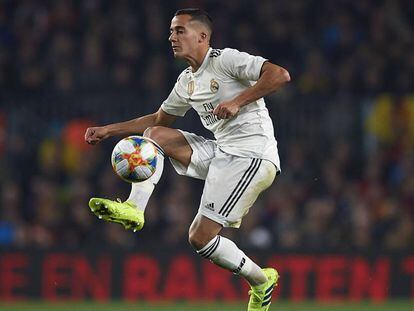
(226, 88)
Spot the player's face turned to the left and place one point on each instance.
(184, 37)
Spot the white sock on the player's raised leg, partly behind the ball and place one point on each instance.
(141, 192)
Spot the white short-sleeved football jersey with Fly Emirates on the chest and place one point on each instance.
(223, 75)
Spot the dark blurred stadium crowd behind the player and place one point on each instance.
(345, 124)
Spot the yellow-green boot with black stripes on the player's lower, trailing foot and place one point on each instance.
(261, 295)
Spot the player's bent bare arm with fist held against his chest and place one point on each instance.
(272, 78)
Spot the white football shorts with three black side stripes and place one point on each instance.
(232, 183)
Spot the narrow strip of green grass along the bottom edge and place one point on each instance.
(276, 306)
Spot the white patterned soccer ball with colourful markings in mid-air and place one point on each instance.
(134, 159)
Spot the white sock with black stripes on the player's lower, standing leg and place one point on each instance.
(225, 253)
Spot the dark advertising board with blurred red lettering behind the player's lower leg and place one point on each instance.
(138, 276)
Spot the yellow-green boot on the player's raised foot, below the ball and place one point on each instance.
(125, 213)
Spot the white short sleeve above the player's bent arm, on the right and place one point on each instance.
(241, 65)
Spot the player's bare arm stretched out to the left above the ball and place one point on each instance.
(94, 135)
